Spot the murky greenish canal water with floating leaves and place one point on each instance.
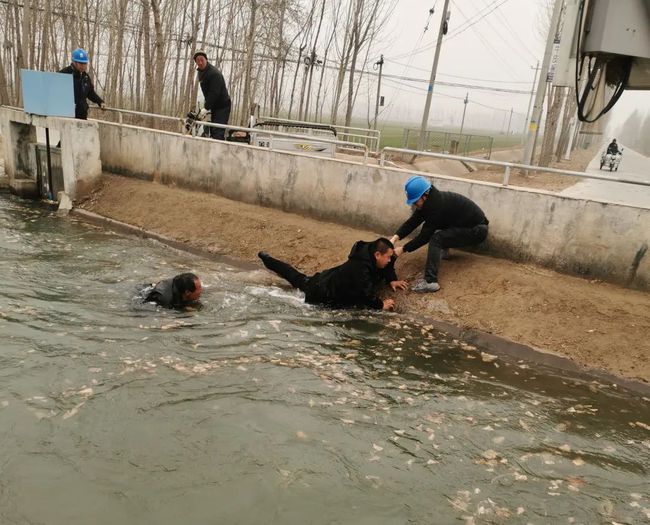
(257, 408)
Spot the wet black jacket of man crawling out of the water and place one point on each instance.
(354, 283)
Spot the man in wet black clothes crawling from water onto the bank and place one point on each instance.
(353, 284)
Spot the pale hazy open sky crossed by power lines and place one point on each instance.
(499, 50)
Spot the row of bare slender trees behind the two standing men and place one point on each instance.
(304, 58)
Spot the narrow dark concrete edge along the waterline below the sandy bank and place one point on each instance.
(509, 351)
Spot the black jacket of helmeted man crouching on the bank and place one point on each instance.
(440, 211)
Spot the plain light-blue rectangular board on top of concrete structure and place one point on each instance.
(46, 93)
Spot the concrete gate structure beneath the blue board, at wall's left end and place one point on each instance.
(80, 158)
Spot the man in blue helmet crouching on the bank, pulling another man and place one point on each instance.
(450, 220)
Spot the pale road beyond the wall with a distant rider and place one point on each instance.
(634, 166)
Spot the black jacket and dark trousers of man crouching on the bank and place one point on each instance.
(450, 221)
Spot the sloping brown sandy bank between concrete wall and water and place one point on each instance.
(593, 323)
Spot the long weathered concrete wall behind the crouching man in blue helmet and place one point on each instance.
(596, 239)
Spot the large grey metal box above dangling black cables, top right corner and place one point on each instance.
(621, 27)
